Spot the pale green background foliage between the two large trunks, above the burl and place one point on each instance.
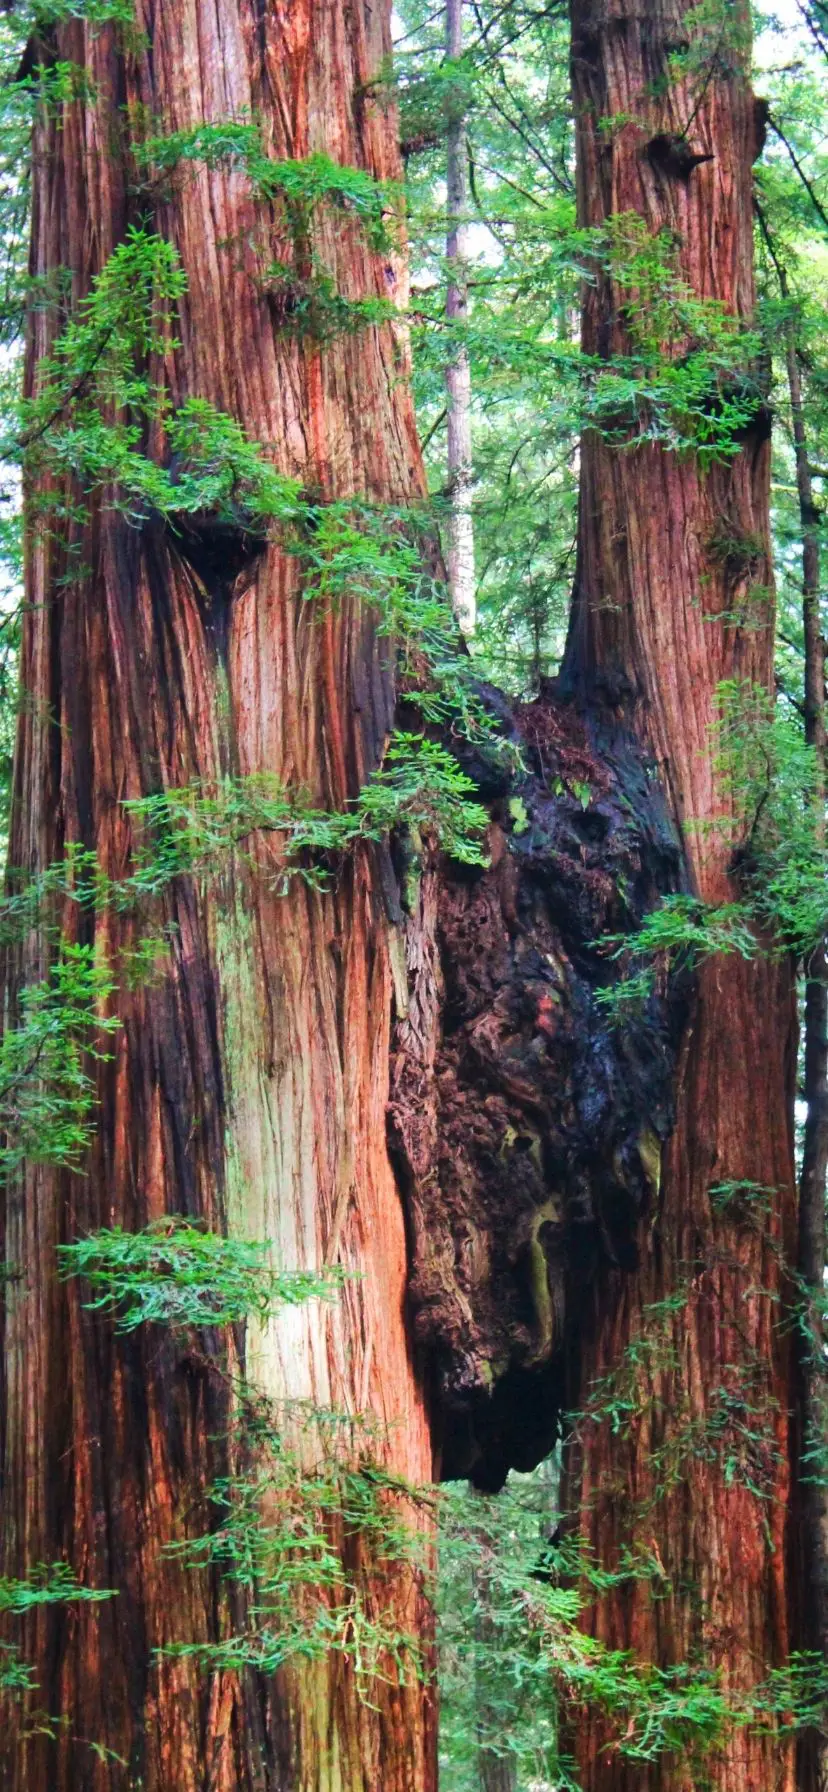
(522, 291)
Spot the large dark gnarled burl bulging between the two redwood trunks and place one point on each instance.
(526, 1123)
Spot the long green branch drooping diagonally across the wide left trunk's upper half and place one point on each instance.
(91, 417)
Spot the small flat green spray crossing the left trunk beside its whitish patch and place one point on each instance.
(177, 1273)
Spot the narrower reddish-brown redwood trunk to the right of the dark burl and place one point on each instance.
(700, 1479)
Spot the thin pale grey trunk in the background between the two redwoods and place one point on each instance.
(461, 530)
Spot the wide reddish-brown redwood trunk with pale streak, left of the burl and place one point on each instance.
(248, 1083)
